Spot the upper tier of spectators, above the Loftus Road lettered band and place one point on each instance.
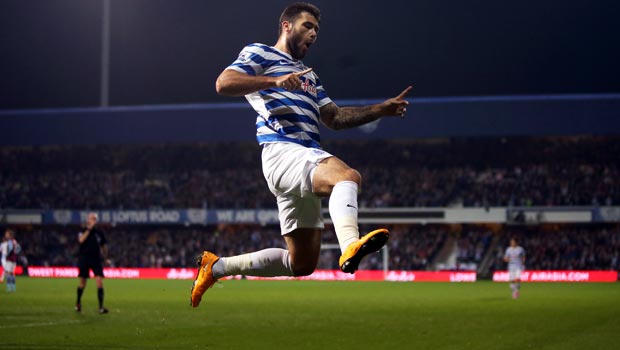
(475, 172)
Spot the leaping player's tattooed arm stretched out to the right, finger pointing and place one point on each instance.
(338, 118)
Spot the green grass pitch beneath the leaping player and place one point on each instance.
(153, 314)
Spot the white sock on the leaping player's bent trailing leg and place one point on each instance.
(272, 262)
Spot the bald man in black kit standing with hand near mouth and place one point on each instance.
(92, 249)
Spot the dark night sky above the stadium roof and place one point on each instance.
(170, 51)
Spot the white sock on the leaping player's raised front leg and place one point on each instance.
(343, 211)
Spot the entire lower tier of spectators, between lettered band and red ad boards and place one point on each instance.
(411, 247)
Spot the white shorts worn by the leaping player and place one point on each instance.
(288, 169)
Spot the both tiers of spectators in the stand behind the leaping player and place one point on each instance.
(469, 172)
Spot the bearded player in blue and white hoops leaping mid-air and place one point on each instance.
(290, 101)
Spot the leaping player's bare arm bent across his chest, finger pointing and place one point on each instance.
(233, 83)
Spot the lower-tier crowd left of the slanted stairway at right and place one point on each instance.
(411, 248)
